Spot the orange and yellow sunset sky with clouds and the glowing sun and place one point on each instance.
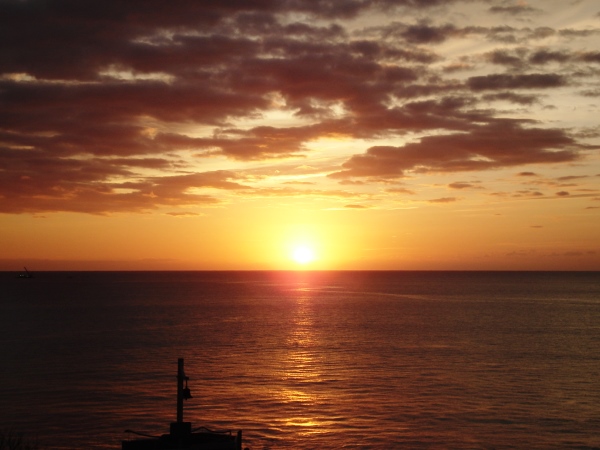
(300, 134)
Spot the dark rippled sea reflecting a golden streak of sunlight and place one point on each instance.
(305, 360)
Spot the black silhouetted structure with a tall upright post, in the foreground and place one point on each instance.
(181, 435)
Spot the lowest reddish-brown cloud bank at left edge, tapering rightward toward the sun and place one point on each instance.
(58, 185)
